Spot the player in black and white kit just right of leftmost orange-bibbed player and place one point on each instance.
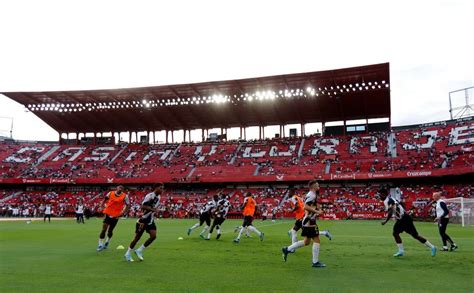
(146, 222)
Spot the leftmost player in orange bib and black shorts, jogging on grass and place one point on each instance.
(116, 204)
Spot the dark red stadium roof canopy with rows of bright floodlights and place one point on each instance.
(333, 95)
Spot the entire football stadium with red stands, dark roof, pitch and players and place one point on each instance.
(276, 183)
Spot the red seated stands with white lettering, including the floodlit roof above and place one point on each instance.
(351, 160)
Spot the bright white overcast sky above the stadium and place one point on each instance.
(79, 45)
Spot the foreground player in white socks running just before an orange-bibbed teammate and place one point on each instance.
(310, 230)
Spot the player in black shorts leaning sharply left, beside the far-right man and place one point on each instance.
(404, 223)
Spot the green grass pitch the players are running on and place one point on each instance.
(61, 257)
